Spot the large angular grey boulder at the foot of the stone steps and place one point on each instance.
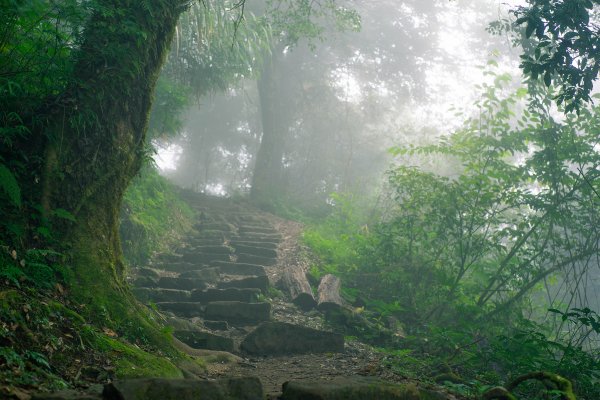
(280, 338)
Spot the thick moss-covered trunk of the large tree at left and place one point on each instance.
(95, 141)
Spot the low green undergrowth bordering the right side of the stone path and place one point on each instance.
(466, 353)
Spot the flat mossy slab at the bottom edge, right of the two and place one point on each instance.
(356, 388)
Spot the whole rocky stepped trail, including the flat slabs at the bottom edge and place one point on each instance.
(218, 290)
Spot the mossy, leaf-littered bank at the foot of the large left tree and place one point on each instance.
(46, 344)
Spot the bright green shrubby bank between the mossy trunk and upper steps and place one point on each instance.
(151, 216)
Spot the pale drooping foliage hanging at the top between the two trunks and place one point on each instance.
(216, 46)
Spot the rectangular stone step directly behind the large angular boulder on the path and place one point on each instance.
(236, 312)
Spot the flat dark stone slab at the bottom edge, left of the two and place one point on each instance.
(248, 388)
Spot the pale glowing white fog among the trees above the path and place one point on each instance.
(339, 102)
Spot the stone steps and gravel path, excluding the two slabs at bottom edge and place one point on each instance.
(218, 290)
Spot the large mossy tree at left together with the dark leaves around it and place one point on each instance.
(83, 143)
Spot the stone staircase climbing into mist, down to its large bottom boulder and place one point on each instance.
(214, 288)
